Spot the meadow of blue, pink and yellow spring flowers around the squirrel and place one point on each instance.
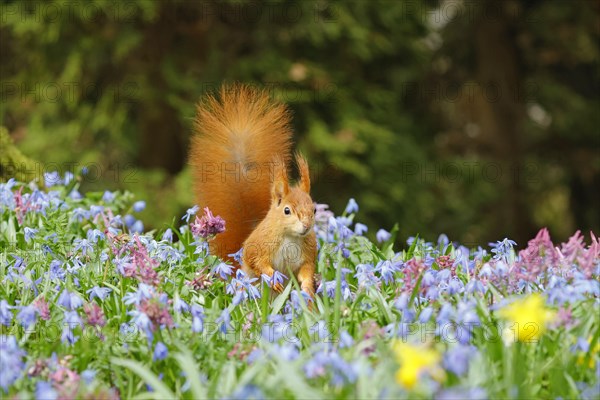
(92, 306)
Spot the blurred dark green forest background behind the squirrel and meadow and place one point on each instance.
(478, 119)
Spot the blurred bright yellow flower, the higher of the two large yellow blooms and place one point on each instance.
(529, 317)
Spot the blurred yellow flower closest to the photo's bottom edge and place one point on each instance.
(415, 360)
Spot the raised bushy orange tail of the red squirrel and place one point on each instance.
(237, 138)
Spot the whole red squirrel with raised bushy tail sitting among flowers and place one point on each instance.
(240, 155)
